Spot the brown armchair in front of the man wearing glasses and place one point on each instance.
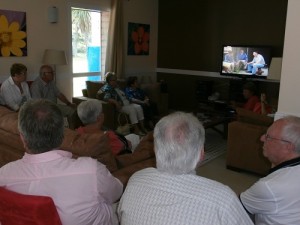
(244, 148)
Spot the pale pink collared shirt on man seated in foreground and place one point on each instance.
(82, 189)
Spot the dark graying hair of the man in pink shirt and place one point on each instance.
(41, 123)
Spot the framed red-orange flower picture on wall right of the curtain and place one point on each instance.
(138, 39)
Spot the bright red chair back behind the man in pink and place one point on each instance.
(19, 209)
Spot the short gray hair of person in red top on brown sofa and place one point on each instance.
(88, 111)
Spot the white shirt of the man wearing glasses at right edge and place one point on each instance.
(275, 199)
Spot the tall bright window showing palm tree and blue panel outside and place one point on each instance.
(89, 39)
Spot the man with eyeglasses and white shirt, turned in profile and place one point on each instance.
(275, 199)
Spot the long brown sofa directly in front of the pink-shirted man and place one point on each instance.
(91, 145)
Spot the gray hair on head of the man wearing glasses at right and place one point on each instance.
(291, 131)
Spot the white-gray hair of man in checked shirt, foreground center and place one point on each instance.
(178, 141)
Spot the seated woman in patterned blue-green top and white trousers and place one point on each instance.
(113, 94)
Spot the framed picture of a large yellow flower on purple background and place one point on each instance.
(13, 36)
